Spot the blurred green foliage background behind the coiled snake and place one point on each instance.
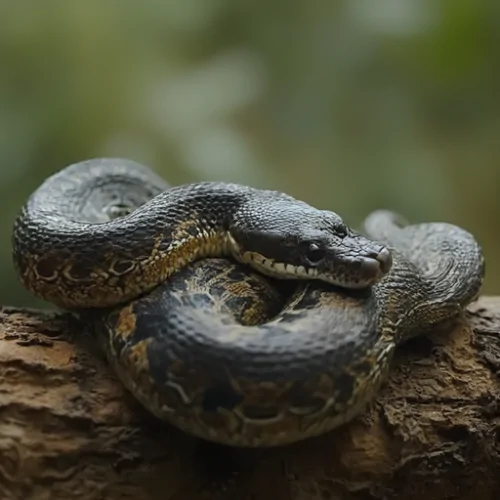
(350, 105)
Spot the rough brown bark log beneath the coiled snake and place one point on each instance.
(69, 431)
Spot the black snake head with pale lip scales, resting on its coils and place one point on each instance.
(305, 243)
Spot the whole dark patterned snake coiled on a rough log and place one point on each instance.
(239, 315)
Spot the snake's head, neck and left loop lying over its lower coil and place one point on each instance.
(70, 250)
